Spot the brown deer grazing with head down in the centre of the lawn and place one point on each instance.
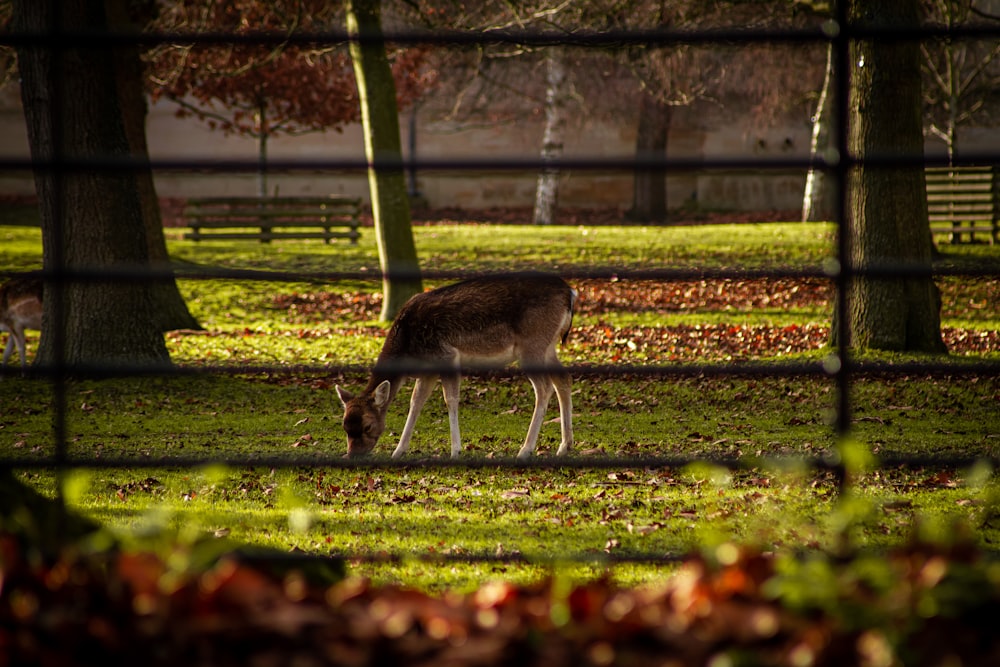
(483, 322)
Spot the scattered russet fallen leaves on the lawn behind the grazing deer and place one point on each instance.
(699, 342)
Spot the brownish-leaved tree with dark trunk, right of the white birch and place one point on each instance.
(750, 81)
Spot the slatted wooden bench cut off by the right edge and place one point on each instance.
(964, 200)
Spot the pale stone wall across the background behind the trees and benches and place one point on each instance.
(175, 140)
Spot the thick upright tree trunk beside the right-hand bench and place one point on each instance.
(887, 206)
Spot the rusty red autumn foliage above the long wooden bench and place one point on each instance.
(260, 89)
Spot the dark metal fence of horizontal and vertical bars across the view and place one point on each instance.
(841, 367)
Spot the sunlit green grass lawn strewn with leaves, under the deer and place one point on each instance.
(444, 521)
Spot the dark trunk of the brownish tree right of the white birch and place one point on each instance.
(649, 195)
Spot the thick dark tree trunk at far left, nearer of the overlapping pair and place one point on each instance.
(92, 219)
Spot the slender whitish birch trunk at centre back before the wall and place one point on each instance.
(556, 95)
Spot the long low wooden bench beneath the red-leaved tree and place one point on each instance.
(270, 218)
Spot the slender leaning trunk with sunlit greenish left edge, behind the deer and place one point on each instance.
(380, 119)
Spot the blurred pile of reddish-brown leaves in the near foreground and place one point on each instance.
(132, 606)
